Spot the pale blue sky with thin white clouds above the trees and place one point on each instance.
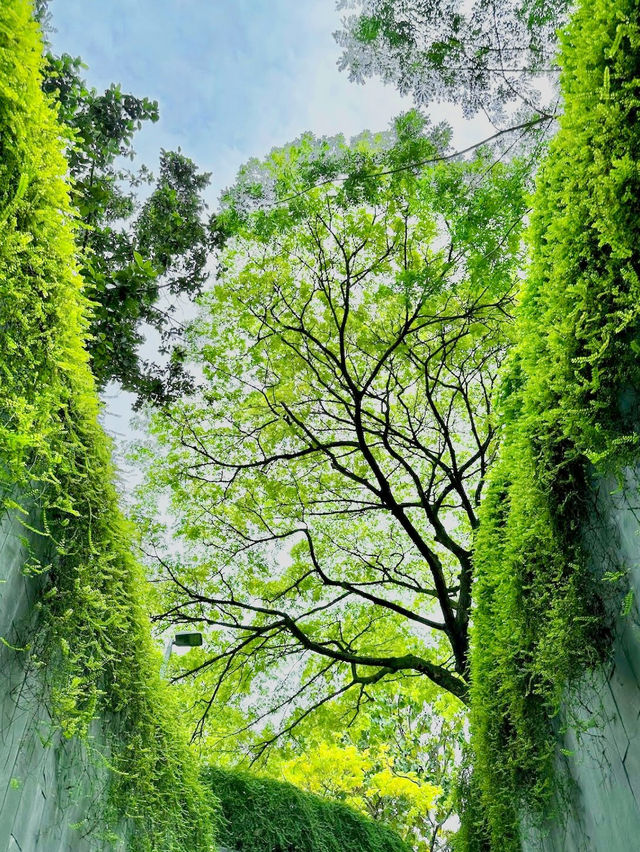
(233, 79)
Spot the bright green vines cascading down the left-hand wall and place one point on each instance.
(92, 641)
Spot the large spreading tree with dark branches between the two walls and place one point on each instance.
(325, 483)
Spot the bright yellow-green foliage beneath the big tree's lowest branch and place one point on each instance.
(397, 763)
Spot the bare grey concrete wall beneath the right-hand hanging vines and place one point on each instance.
(598, 804)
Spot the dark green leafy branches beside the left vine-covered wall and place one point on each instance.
(133, 254)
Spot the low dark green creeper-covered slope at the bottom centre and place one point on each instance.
(262, 815)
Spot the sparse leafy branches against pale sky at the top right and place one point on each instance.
(484, 56)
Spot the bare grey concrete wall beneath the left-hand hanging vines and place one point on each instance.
(51, 789)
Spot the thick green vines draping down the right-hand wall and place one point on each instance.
(570, 409)
